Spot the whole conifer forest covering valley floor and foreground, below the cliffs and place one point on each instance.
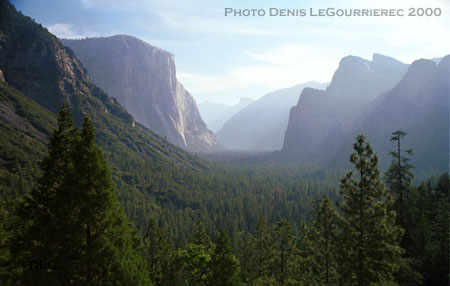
(230, 224)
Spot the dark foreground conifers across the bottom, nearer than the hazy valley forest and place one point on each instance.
(71, 229)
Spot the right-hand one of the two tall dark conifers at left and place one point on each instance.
(107, 253)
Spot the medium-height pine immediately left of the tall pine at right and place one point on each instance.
(321, 250)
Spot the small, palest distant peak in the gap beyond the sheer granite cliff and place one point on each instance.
(216, 114)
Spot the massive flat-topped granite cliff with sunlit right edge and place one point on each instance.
(143, 79)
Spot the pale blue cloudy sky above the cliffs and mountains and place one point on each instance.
(223, 58)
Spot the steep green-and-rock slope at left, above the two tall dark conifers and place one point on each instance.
(39, 75)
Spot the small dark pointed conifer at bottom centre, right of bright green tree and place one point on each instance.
(224, 266)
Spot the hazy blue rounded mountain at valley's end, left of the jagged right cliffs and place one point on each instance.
(261, 125)
